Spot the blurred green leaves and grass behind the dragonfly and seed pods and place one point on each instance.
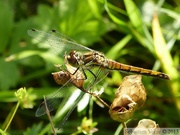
(140, 33)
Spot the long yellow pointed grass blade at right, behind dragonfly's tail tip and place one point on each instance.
(165, 58)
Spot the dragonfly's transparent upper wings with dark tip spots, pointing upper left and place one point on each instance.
(59, 42)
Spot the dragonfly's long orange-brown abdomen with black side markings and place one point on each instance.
(113, 65)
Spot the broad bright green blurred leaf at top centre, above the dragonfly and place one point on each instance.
(82, 24)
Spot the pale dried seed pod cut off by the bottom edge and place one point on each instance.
(146, 127)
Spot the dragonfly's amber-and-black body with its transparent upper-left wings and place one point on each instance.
(84, 58)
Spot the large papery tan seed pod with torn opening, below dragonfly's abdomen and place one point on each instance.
(129, 96)
